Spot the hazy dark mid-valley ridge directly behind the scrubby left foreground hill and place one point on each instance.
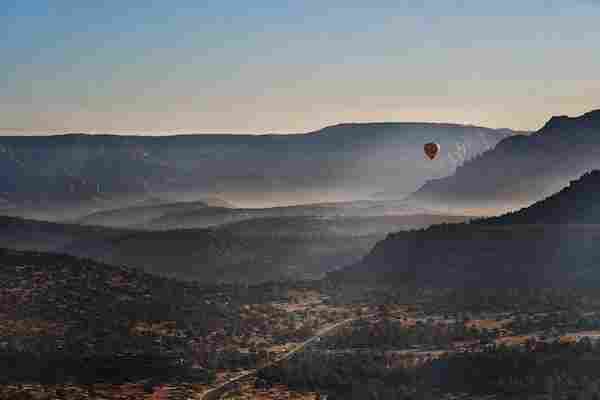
(257, 249)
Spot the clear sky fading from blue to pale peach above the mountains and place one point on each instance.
(272, 66)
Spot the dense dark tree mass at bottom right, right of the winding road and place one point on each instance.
(551, 372)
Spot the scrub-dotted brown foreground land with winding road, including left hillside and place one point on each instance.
(76, 329)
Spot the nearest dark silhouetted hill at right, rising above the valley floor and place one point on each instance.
(552, 243)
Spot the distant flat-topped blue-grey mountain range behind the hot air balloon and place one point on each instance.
(342, 161)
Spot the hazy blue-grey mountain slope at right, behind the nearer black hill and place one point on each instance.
(521, 169)
